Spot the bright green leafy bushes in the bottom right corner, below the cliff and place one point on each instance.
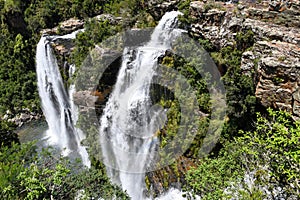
(269, 155)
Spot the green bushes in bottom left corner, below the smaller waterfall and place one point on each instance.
(26, 174)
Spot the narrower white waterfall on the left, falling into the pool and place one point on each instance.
(57, 104)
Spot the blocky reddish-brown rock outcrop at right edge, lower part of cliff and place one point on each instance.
(278, 75)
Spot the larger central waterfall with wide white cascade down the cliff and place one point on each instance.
(128, 124)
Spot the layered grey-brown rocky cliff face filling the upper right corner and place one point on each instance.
(274, 59)
